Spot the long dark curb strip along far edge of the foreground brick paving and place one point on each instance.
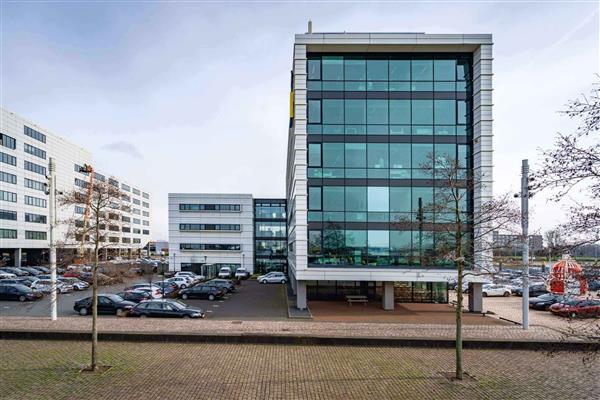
(257, 338)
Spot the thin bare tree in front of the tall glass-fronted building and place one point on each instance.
(463, 226)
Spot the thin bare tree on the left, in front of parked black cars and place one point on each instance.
(104, 210)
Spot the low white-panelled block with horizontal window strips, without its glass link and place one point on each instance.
(213, 229)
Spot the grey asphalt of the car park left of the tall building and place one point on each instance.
(250, 301)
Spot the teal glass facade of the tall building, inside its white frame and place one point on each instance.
(378, 126)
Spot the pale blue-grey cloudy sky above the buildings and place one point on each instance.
(193, 97)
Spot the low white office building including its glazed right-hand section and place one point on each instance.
(210, 231)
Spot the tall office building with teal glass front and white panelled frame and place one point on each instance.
(369, 111)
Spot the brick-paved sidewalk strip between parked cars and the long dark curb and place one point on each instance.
(308, 328)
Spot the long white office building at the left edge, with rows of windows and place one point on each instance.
(25, 150)
